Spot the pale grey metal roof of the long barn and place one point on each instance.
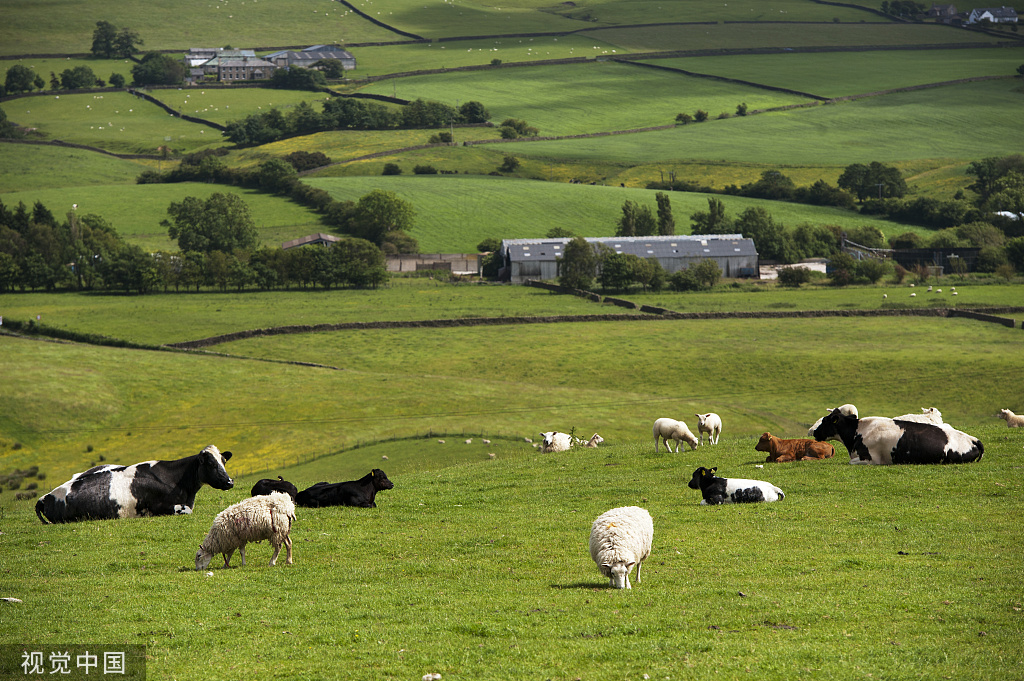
(697, 246)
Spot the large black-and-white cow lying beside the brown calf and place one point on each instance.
(876, 440)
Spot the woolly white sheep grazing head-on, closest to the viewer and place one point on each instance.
(620, 539)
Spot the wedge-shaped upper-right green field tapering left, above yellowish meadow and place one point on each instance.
(962, 122)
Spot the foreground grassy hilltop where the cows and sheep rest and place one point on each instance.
(482, 571)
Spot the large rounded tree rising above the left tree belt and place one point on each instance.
(223, 223)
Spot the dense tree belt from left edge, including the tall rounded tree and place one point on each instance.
(84, 252)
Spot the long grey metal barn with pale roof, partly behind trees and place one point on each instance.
(537, 259)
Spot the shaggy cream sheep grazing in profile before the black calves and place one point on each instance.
(254, 520)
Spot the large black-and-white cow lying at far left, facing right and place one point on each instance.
(151, 488)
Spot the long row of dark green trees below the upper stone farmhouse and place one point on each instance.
(350, 114)
